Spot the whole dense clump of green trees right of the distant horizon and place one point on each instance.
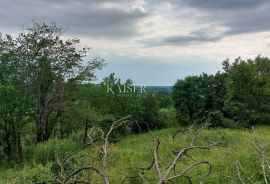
(239, 96)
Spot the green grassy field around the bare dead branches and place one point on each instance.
(127, 156)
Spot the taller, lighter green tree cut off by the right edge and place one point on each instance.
(247, 99)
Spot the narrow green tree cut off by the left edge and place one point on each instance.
(15, 97)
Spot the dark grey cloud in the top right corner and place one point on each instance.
(237, 16)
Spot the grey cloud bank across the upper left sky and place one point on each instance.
(98, 18)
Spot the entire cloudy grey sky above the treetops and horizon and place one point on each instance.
(153, 42)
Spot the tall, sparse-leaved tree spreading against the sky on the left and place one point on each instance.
(53, 66)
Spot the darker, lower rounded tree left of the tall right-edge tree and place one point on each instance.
(196, 97)
